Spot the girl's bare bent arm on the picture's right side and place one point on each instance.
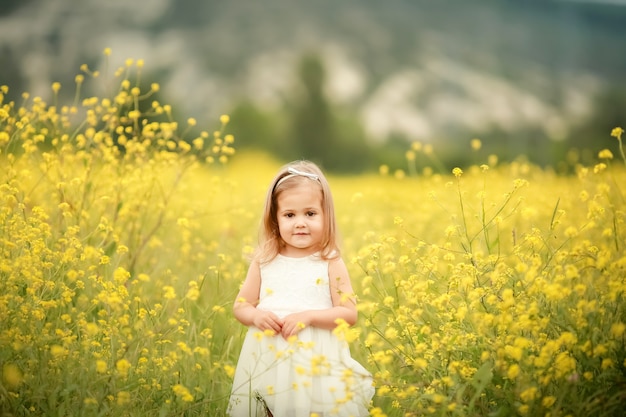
(344, 304)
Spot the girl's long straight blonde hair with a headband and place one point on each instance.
(270, 241)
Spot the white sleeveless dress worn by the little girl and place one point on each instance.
(313, 374)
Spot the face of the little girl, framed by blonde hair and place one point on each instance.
(301, 219)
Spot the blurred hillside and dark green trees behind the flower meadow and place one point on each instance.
(350, 84)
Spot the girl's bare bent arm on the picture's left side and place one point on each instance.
(244, 307)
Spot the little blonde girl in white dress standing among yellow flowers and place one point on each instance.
(296, 292)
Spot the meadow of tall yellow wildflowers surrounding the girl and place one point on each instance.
(493, 289)
